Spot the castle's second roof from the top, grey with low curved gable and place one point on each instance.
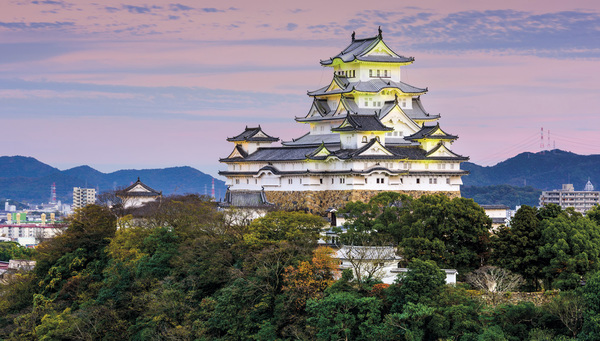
(373, 85)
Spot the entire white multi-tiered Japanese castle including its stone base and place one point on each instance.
(368, 132)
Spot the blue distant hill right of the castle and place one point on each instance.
(544, 170)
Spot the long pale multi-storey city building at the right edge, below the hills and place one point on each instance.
(581, 201)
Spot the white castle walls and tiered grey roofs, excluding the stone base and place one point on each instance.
(365, 113)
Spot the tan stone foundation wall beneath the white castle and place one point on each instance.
(317, 202)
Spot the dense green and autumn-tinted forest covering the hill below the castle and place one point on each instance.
(183, 270)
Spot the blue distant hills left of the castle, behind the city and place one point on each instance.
(26, 179)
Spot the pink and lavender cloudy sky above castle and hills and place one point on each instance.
(152, 83)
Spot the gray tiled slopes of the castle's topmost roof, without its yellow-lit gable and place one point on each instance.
(359, 47)
